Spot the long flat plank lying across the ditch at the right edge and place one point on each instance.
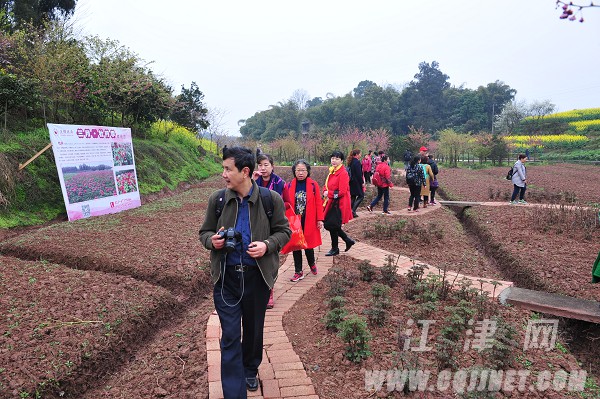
(555, 304)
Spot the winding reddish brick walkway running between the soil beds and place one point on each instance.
(282, 373)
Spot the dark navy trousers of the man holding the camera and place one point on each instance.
(240, 296)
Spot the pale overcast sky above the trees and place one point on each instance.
(246, 55)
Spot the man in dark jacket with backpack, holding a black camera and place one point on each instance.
(244, 244)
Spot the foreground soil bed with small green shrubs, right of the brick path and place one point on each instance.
(392, 345)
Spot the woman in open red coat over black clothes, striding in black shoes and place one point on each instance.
(337, 188)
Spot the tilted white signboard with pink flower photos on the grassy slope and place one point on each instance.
(96, 168)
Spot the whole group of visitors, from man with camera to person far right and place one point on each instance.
(246, 227)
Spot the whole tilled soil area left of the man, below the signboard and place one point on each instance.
(147, 345)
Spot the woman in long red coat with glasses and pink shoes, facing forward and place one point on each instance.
(302, 193)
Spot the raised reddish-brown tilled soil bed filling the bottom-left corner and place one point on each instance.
(60, 325)
